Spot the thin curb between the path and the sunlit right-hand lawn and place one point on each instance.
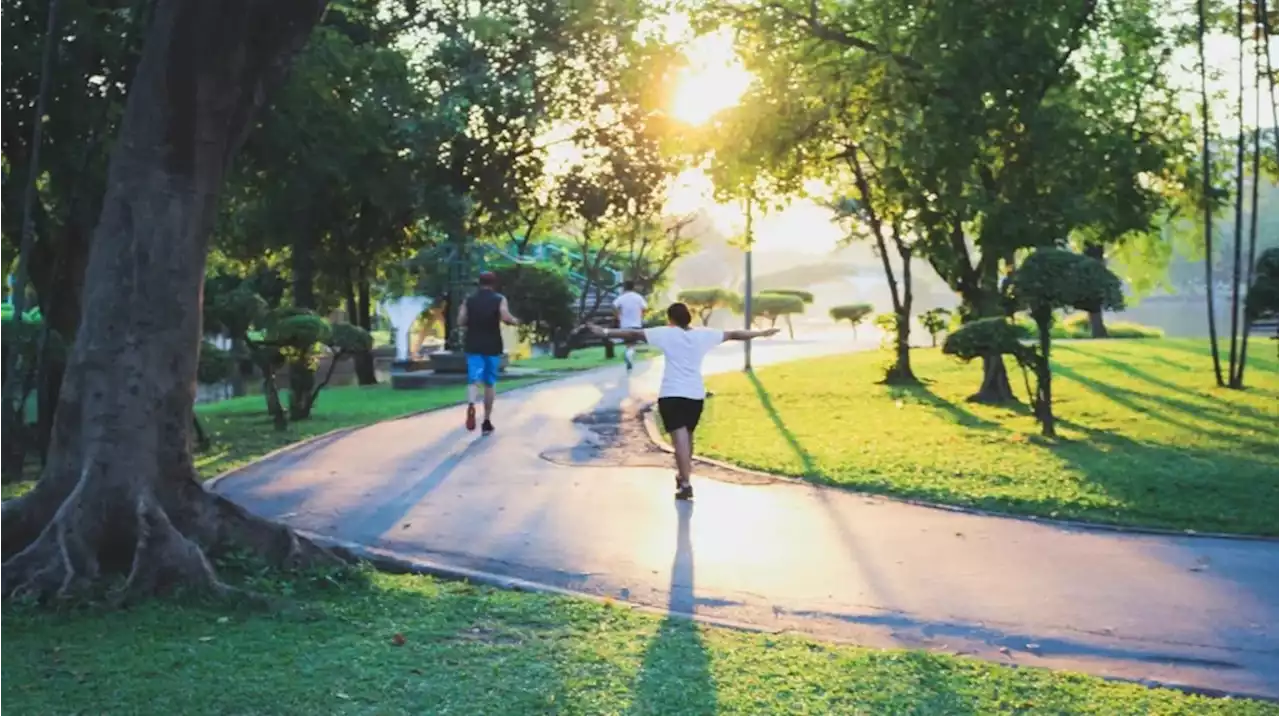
(656, 437)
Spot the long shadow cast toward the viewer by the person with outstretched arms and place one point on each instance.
(675, 677)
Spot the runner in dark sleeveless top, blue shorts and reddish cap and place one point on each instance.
(482, 317)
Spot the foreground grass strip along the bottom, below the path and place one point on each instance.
(472, 650)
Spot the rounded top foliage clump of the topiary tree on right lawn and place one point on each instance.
(1052, 280)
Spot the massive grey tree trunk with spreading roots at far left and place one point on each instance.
(120, 495)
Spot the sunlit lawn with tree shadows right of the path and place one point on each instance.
(1146, 439)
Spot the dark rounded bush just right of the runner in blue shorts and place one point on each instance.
(543, 299)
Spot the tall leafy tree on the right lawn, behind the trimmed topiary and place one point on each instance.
(990, 158)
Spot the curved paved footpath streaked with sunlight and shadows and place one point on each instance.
(1190, 612)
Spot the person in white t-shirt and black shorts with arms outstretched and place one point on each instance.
(680, 399)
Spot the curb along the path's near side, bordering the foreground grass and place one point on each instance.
(390, 563)
